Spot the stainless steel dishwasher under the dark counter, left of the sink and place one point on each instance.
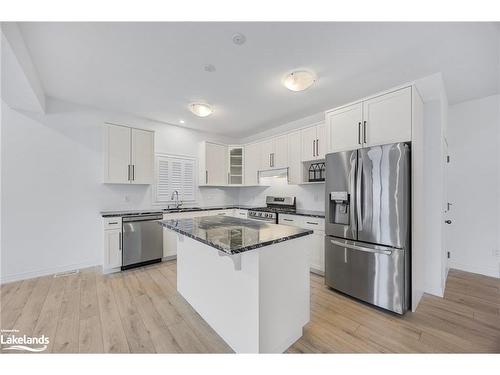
(142, 240)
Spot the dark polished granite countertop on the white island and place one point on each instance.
(234, 235)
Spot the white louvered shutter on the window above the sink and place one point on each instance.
(174, 173)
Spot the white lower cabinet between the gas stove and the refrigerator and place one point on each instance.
(317, 239)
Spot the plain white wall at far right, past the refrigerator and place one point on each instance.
(474, 185)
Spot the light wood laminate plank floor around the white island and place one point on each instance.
(140, 311)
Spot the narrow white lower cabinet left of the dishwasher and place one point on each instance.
(112, 244)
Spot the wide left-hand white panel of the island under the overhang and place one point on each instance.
(227, 299)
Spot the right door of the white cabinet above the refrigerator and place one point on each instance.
(387, 118)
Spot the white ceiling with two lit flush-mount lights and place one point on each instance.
(155, 69)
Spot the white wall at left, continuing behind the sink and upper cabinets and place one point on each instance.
(52, 190)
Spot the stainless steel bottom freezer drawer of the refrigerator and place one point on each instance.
(372, 273)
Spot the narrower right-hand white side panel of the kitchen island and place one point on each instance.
(284, 290)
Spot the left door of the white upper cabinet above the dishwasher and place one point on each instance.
(117, 154)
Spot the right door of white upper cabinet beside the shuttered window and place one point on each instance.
(142, 156)
